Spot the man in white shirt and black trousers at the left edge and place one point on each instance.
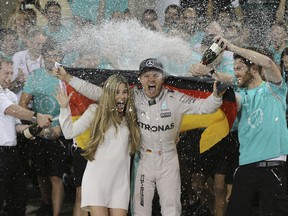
(12, 181)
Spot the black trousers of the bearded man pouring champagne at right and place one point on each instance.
(270, 183)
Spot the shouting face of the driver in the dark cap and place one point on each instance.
(152, 82)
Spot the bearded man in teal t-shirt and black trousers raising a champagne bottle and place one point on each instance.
(262, 132)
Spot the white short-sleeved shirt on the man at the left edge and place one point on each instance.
(7, 122)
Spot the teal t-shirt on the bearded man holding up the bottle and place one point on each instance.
(262, 125)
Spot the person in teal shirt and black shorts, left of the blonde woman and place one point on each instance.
(48, 154)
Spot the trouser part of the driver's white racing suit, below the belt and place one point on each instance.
(161, 167)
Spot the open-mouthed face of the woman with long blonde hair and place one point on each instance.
(121, 96)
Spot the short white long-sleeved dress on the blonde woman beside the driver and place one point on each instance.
(106, 180)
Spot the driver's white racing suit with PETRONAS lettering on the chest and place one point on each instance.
(156, 163)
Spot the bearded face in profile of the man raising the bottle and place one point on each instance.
(242, 73)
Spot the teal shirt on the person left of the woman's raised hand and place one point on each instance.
(42, 86)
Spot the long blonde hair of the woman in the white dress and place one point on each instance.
(107, 116)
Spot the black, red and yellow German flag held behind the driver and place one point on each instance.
(217, 125)
